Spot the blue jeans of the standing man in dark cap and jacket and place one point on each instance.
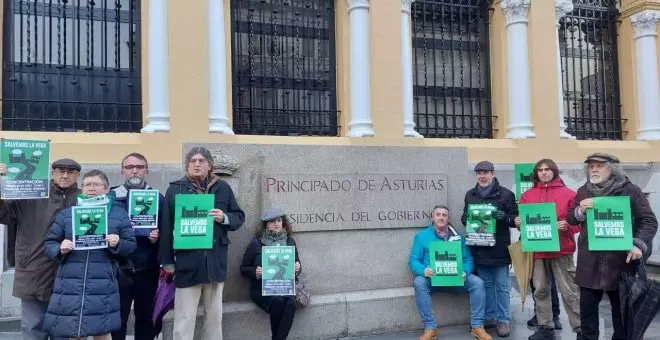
(498, 288)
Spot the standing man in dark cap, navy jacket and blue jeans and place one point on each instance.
(492, 261)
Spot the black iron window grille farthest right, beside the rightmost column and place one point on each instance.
(588, 47)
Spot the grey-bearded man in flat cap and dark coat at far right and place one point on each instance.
(599, 271)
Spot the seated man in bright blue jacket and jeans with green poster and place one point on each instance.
(442, 262)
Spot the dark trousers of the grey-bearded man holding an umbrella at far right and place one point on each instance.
(589, 301)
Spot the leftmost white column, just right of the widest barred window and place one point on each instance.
(158, 117)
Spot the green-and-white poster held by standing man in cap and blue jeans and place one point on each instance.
(480, 225)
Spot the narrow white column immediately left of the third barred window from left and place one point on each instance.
(406, 59)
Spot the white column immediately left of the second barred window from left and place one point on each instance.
(218, 121)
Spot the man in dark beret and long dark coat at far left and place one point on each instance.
(35, 273)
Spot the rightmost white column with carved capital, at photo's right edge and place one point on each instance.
(648, 90)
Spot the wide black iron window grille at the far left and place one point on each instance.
(71, 65)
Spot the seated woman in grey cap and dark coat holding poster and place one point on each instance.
(277, 299)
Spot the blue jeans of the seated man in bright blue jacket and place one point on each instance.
(473, 285)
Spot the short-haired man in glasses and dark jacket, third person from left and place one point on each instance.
(143, 266)
